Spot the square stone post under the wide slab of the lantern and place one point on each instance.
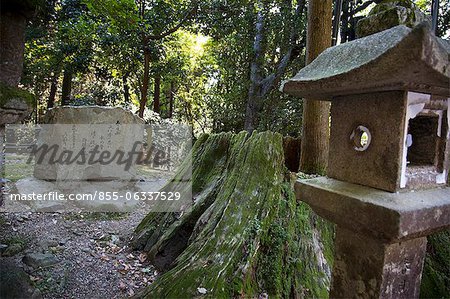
(367, 268)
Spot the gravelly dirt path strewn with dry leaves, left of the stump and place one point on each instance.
(85, 255)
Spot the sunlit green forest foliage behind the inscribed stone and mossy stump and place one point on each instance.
(204, 66)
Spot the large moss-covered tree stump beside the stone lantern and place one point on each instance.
(245, 234)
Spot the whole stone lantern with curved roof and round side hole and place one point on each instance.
(387, 185)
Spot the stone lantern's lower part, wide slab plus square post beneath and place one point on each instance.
(381, 236)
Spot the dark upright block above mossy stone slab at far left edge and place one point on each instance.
(12, 43)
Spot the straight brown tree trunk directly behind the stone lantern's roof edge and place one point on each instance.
(316, 129)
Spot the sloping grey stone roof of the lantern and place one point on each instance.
(399, 58)
